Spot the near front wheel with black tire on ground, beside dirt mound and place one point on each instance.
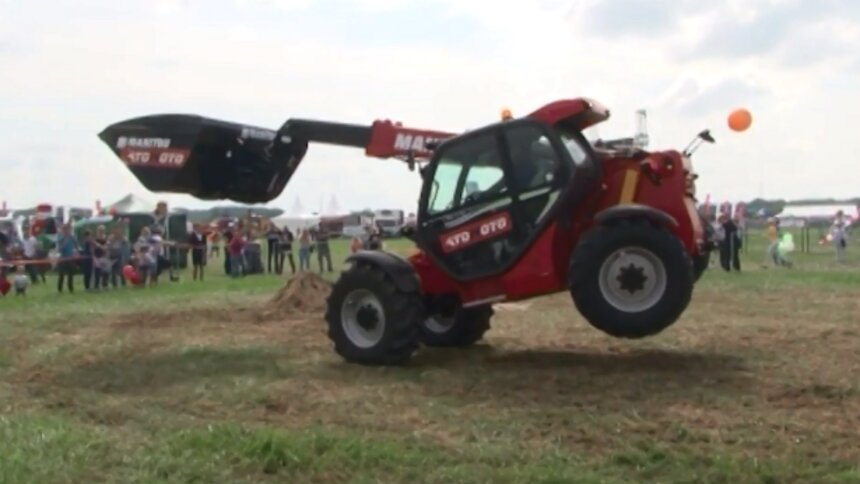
(370, 320)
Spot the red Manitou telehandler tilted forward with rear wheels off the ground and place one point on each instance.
(517, 209)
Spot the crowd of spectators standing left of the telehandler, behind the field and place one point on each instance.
(108, 259)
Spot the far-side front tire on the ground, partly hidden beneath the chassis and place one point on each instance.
(463, 327)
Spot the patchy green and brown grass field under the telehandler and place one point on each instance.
(758, 382)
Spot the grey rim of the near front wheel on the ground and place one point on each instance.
(362, 318)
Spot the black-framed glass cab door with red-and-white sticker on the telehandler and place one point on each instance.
(488, 194)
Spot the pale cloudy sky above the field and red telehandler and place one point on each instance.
(70, 68)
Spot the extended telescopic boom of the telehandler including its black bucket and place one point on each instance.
(212, 159)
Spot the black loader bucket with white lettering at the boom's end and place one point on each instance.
(205, 158)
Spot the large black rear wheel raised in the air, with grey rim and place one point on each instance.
(631, 279)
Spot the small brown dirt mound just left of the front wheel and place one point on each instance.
(304, 294)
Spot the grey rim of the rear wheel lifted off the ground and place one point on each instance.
(633, 279)
